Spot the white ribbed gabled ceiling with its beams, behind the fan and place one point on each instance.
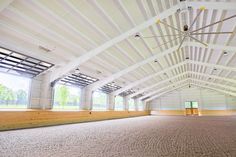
(98, 35)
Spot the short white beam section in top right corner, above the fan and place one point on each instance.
(213, 5)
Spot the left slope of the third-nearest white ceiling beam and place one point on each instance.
(133, 84)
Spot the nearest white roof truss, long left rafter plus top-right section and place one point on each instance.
(78, 61)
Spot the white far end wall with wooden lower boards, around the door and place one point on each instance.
(209, 101)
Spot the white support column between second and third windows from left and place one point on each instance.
(86, 99)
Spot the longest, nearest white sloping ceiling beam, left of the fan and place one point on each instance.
(57, 73)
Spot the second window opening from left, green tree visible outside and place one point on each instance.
(66, 97)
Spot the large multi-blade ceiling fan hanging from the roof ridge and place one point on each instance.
(187, 31)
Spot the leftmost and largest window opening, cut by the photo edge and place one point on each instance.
(14, 91)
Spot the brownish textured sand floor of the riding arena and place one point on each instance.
(150, 136)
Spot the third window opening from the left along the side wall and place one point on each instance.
(99, 101)
